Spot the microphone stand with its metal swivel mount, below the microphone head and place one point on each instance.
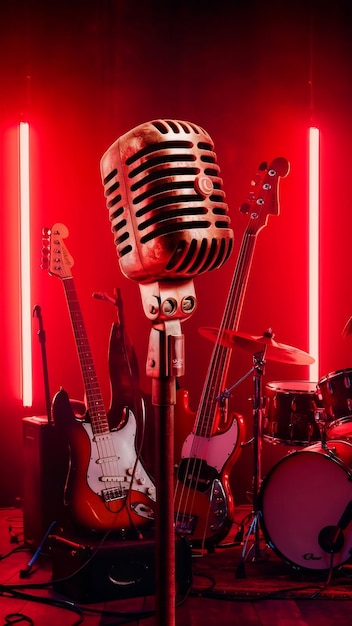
(165, 304)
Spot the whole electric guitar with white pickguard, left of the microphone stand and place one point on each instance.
(108, 486)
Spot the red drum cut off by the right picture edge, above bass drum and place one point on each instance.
(335, 390)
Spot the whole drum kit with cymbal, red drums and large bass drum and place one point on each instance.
(304, 504)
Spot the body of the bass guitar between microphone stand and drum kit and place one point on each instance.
(204, 504)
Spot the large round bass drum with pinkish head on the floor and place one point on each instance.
(301, 503)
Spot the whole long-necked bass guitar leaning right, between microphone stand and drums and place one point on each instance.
(204, 504)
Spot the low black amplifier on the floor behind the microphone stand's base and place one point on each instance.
(114, 570)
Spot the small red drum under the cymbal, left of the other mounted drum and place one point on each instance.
(289, 413)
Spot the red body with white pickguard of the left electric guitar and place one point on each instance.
(107, 488)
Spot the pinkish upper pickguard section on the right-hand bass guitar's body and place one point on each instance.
(215, 450)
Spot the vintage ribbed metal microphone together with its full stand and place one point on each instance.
(170, 223)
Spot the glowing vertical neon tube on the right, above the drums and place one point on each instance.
(314, 251)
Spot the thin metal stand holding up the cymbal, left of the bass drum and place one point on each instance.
(258, 370)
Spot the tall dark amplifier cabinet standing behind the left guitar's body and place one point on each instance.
(45, 468)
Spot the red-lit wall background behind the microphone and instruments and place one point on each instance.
(84, 73)
